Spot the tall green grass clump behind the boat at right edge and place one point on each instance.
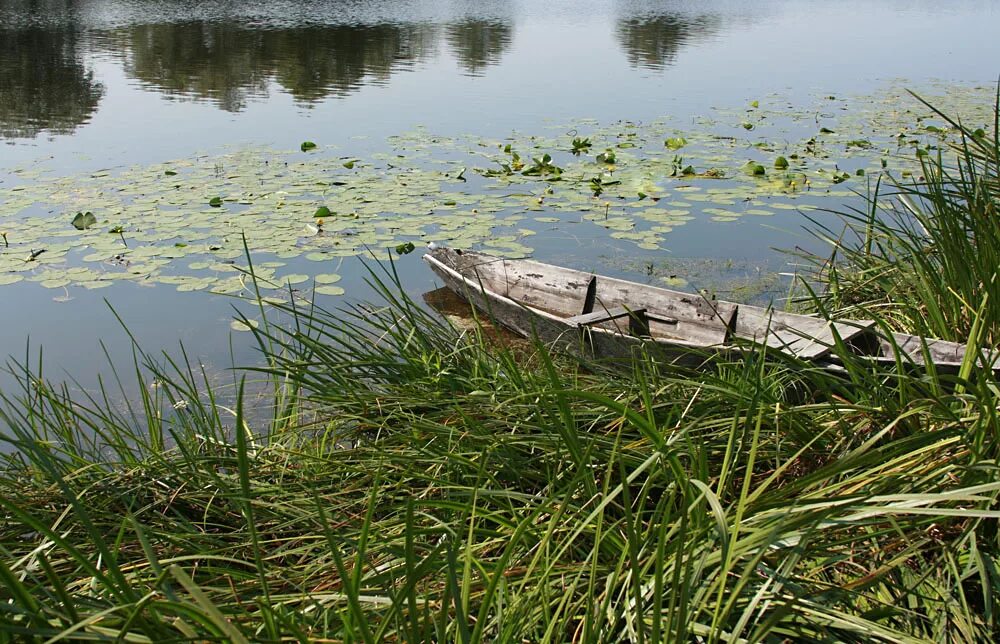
(925, 254)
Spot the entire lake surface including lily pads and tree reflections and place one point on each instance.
(98, 97)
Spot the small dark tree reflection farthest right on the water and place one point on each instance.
(653, 42)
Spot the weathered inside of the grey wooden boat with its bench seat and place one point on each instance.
(607, 304)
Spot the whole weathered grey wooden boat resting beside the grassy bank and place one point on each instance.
(608, 318)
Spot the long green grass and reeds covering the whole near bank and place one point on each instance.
(419, 482)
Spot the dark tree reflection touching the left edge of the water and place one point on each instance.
(44, 84)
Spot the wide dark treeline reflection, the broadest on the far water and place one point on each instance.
(228, 64)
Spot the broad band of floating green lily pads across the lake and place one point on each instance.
(183, 223)
